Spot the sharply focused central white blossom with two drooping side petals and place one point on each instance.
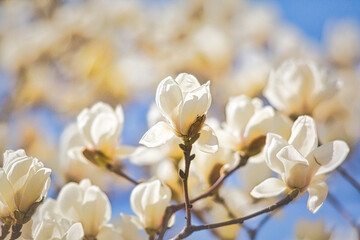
(184, 103)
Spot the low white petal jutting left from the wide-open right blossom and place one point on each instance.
(270, 187)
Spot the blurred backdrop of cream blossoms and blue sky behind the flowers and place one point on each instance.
(58, 57)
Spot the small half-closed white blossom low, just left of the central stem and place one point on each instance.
(148, 201)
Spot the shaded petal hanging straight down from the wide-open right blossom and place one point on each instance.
(317, 195)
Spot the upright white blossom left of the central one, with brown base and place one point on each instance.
(100, 127)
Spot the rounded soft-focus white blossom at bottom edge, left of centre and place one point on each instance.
(87, 204)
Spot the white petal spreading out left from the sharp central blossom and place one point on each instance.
(157, 135)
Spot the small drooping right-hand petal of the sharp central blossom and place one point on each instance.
(207, 141)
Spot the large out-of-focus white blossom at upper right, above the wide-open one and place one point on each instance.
(296, 87)
